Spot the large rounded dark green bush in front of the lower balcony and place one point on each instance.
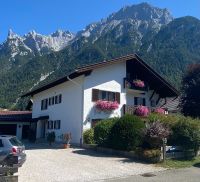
(126, 133)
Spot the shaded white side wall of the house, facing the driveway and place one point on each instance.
(68, 111)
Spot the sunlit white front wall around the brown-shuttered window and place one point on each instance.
(108, 78)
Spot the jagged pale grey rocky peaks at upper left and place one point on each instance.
(34, 44)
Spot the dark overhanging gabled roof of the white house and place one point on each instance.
(85, 70)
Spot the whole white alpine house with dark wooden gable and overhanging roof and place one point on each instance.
(68, 104)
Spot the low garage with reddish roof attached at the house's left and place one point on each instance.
(15, 123)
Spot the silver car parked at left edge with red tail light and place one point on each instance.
(12, 154)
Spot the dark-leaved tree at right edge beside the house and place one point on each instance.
(190, 100)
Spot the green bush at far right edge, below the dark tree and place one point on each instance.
(186, 133)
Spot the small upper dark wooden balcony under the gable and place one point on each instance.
(130, 86)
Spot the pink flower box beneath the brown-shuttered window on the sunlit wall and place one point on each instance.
(106, 105)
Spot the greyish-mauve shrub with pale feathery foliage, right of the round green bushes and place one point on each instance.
(154, 133)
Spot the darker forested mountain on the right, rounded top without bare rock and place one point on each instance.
(173, 48)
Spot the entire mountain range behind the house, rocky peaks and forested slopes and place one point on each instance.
(167, 44)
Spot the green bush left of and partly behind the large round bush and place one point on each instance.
(102, 131)
